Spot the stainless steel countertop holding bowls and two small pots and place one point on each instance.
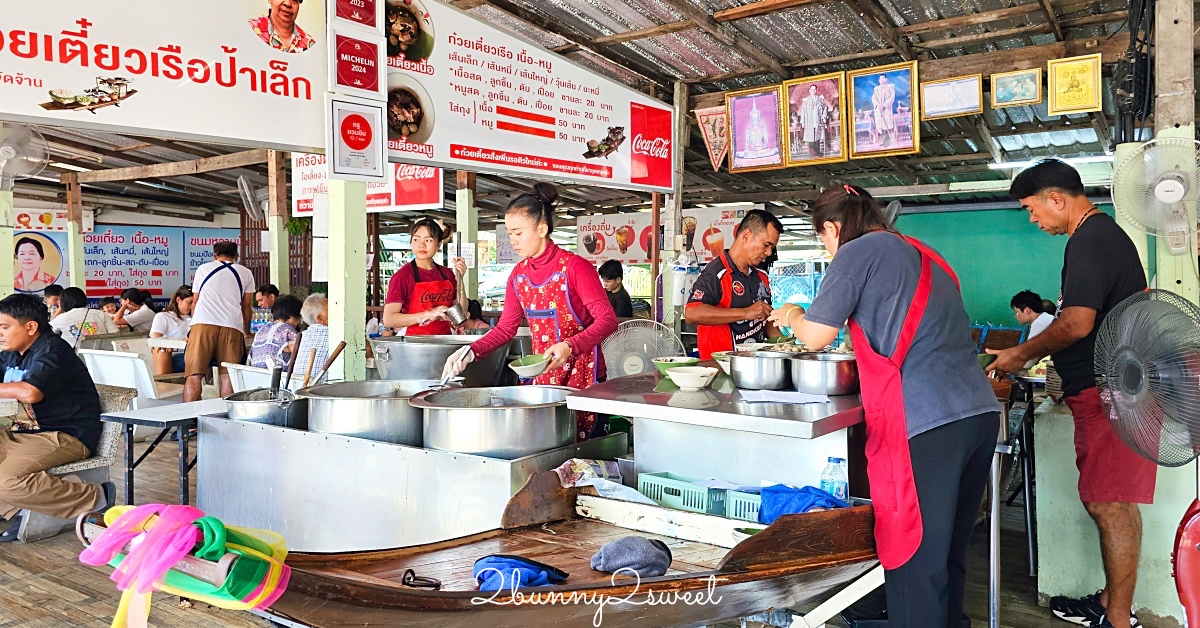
(653, 397)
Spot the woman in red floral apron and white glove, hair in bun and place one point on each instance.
(559, 294)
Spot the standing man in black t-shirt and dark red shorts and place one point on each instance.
(1101, 270)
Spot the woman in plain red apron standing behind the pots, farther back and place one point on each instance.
(422, 291)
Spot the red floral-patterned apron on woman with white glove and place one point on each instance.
(553, 320)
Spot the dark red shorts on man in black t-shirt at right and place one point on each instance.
(1108, 470)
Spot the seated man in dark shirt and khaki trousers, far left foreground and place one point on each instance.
(59, 421)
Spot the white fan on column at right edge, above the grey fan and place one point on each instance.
(1156, 189)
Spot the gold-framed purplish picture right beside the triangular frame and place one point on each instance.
(757, 129)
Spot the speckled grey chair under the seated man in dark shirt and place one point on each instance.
(93, 470)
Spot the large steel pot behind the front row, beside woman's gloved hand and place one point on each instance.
(424, 357)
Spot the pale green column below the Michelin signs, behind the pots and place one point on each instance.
(347, 277)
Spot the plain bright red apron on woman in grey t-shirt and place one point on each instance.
(898, 523)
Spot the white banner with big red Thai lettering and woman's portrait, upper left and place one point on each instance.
(208, 71)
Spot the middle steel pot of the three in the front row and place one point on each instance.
(376, 410)
